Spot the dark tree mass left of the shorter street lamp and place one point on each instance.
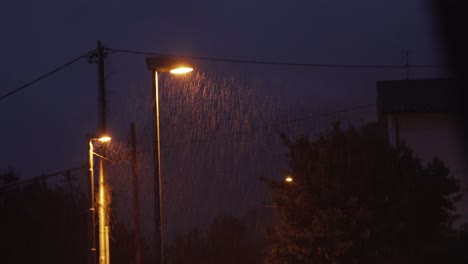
(41, 223)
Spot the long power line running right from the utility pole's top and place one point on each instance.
(278, 63)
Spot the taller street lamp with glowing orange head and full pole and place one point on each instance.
(155, 65)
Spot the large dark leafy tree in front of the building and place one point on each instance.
(357, 199)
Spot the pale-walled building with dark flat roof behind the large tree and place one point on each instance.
(426, 115)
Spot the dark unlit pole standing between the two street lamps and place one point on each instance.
(136, 204)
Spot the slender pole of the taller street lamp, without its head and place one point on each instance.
(157, 173)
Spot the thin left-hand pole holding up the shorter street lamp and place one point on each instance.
(92, 222)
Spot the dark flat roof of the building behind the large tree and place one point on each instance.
(423, 95)
